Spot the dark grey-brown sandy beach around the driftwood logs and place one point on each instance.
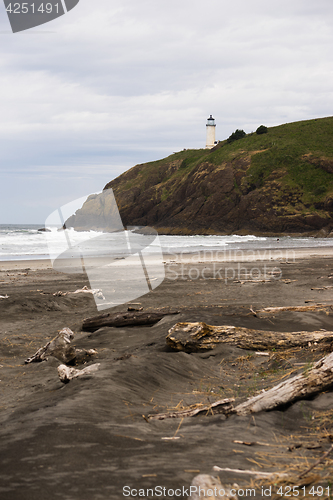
(86, 440)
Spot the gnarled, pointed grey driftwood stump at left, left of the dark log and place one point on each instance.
(61, 348)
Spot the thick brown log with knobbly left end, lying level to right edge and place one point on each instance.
(192, 337)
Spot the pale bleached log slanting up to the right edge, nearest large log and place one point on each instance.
(316, 379)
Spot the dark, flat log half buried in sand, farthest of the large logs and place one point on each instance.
(129, 318)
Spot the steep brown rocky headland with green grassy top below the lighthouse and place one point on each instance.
(278, 182)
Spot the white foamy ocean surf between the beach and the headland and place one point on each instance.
(25, 242)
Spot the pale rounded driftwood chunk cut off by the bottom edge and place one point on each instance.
(206, 487)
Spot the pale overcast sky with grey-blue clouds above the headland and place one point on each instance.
(114, 83)
